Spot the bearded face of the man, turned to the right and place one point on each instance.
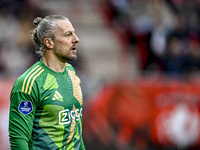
(65, 41)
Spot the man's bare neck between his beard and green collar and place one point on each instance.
(53, 63)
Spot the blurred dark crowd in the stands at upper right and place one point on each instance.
(164, 34)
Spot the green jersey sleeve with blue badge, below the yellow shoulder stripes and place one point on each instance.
(22, 110)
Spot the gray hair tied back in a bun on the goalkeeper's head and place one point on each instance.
(45, 28)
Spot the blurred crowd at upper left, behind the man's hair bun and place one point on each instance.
(17, 52)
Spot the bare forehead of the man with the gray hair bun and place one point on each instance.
(64, 26)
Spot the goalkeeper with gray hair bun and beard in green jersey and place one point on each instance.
(46, 101)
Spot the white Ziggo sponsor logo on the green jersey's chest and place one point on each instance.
(66, 116)
